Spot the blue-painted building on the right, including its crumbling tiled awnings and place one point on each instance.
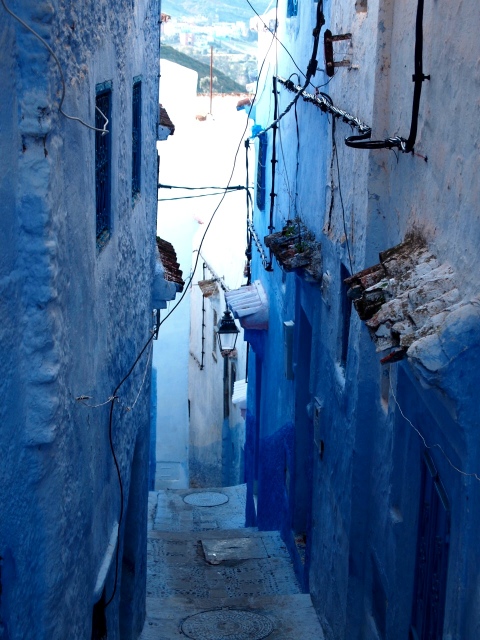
(362, 421)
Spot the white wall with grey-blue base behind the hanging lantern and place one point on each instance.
(217, 426)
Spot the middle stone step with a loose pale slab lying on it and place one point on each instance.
(238, 566)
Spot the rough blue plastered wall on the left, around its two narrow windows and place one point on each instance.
(73, 319)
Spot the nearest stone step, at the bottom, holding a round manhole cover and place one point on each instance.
(284, 617)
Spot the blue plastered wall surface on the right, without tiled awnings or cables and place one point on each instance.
(355, 488)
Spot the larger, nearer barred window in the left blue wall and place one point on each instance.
(103, 162)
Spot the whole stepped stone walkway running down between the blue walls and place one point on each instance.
(210, 578)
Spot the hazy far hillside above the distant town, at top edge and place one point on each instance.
(214, 10)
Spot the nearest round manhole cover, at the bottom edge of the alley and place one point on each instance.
(227, 625)
